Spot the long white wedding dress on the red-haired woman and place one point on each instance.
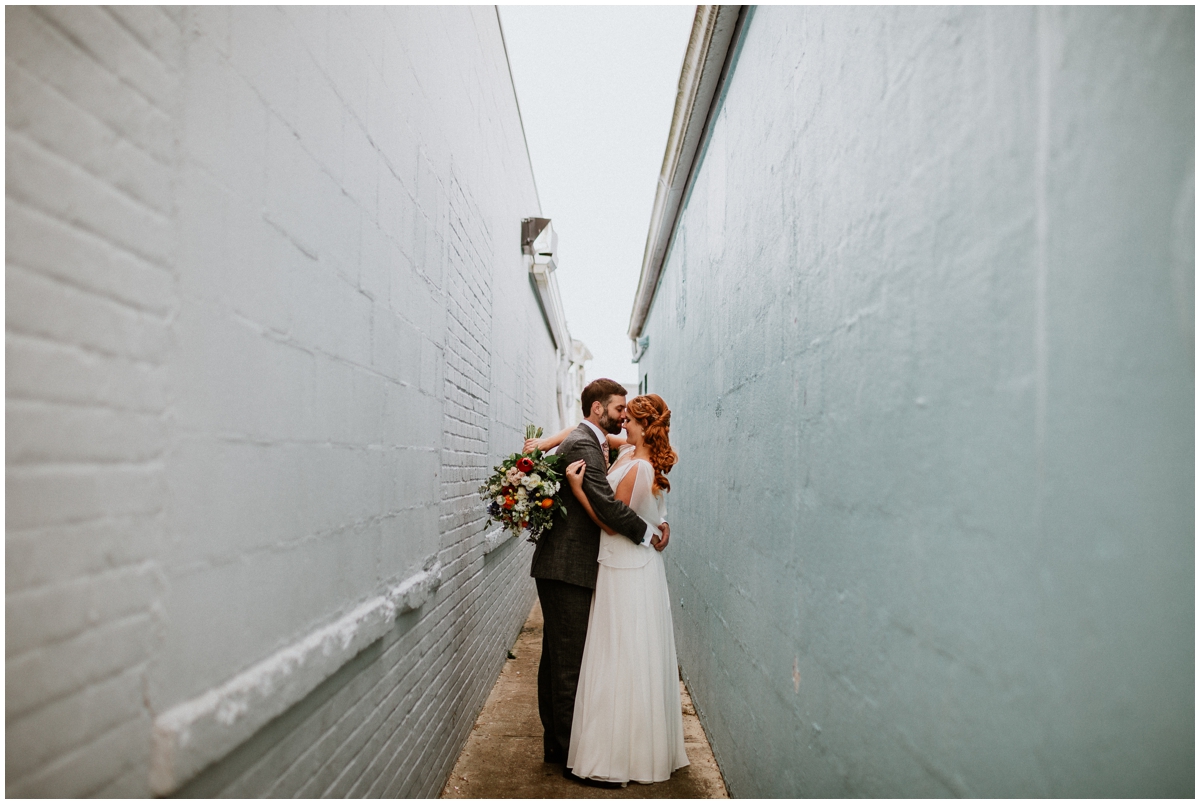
(628, 723)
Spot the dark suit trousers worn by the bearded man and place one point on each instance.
(565, 610)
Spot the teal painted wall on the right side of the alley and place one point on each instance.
(927, 329)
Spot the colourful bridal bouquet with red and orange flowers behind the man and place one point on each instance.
(521, 495)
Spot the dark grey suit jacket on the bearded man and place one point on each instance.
(569, 551)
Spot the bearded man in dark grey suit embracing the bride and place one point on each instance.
(565, 563)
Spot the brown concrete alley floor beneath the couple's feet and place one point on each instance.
(503, 755)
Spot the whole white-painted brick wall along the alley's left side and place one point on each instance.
(268, 327)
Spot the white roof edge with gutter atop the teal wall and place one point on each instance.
(704, 67)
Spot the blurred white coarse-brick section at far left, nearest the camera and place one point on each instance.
(89, 299)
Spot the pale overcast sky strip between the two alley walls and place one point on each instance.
(597, 89)
